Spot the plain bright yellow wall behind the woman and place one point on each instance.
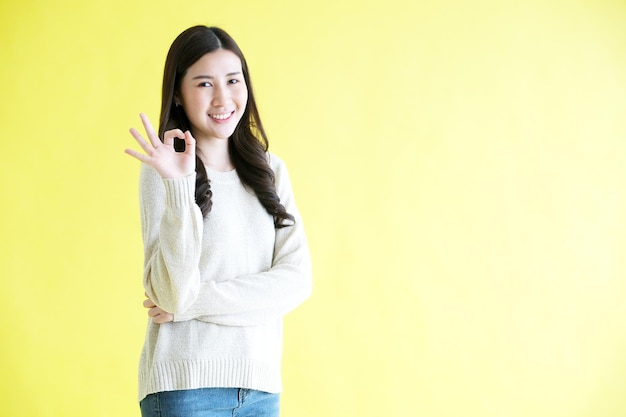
(460, 166)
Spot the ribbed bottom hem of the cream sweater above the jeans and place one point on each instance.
(216, 373)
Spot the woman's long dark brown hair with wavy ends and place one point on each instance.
(247, 145)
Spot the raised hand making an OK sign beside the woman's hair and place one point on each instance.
(161, 155)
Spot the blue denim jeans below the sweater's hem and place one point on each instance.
(211, 402)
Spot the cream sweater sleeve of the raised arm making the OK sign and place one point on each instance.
(171, 225)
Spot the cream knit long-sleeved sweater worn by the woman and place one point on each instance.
(228, 279)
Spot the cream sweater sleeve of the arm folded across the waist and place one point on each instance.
(258, 298)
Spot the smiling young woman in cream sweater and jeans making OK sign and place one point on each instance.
(226, 256)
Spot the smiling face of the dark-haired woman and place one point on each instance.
(214, 95)
